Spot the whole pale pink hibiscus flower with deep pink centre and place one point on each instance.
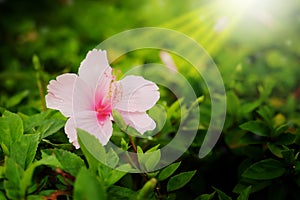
(89, 98)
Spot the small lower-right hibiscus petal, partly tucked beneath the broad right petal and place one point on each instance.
(139, 120)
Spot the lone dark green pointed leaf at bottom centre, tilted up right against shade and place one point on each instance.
(178, 181)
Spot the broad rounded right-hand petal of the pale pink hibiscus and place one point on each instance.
(135, 94)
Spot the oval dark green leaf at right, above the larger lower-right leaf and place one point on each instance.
(256, 127)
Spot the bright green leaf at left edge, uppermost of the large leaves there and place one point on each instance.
(11, 129)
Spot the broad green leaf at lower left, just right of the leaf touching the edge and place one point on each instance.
(23, 151)
